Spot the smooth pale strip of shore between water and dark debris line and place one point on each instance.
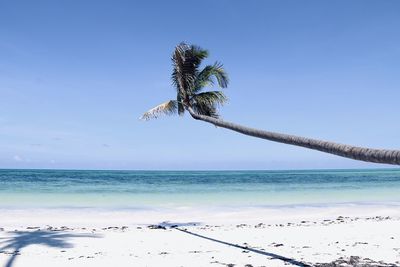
(217, 215)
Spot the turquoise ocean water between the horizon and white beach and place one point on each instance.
(144, 189)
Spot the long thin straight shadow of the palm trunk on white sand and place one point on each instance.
(273, 255)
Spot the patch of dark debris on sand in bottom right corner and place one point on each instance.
(355, 261)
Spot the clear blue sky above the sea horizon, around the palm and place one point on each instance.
(76, 75)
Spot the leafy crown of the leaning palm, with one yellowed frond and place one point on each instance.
(190, 80)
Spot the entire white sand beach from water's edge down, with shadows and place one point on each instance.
(263, 237)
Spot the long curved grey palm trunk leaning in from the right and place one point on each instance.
(347, 151)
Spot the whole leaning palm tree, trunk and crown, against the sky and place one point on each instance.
(189, 81)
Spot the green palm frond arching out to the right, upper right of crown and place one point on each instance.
(208, 74)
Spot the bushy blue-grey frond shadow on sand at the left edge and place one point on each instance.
(21, 239)
